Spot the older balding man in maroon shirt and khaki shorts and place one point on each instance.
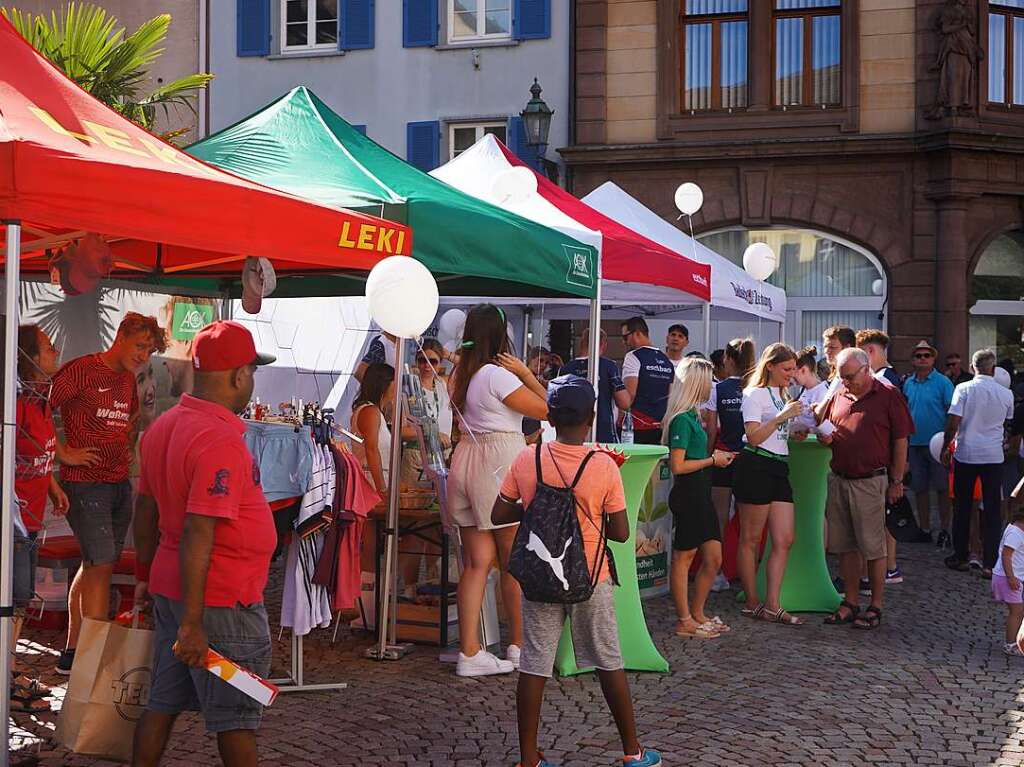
(872, 427)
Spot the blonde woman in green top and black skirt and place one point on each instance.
(691, 501)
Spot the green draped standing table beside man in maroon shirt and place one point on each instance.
(806, 586)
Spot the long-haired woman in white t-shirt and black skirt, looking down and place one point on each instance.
(761, 481)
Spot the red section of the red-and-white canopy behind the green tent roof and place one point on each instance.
(626, 257)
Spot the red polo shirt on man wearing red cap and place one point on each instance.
(196, 462)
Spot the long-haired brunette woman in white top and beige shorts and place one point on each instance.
(492, 392)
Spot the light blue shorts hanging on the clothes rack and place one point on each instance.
(285, 458)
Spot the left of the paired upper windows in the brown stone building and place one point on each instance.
(715, 55)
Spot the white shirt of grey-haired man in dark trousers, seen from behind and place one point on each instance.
(985, 406)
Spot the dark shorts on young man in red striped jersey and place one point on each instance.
(100, 515)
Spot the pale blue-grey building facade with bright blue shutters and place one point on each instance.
(426, 78)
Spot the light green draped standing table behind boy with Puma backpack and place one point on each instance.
(639, 653)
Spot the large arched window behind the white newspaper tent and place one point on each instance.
(814, 267)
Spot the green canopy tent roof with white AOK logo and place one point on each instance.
(300, 146)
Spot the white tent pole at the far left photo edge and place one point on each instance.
(10, 436)
